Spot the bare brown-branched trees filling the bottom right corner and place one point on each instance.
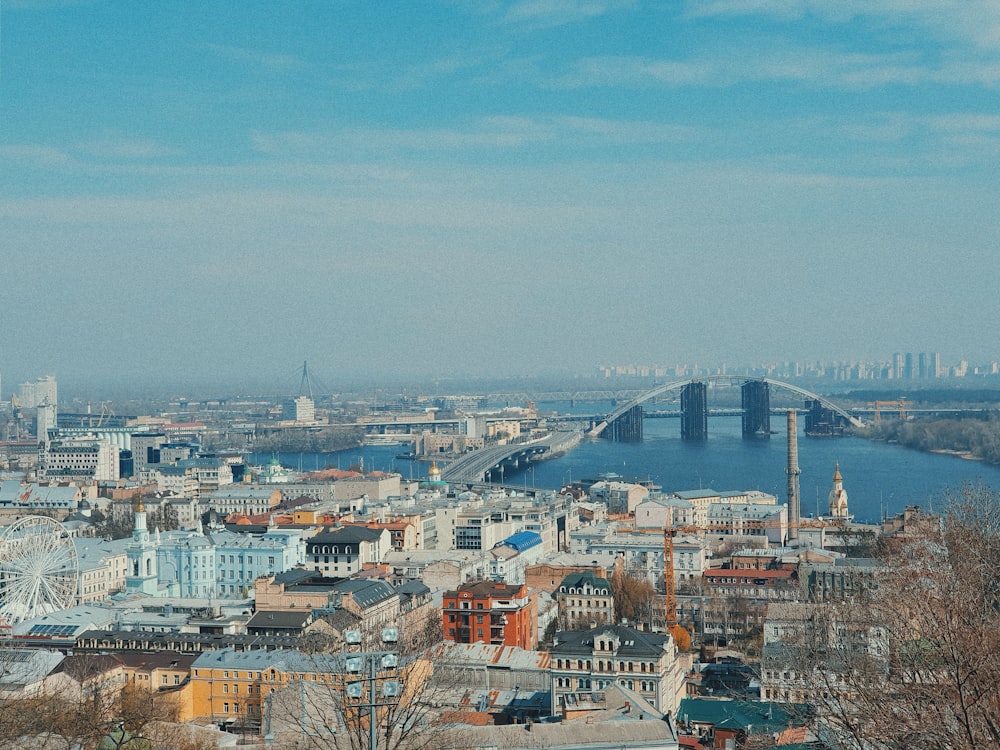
(914, 661)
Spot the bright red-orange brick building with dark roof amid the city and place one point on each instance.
(491, 612)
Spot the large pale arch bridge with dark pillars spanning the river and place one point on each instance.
(625, 422)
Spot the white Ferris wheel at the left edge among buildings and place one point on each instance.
(39, 570)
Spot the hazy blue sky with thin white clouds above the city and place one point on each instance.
(218, 191)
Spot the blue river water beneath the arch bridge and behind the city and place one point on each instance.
(877, 476)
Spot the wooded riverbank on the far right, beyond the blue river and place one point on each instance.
(979, 438)
